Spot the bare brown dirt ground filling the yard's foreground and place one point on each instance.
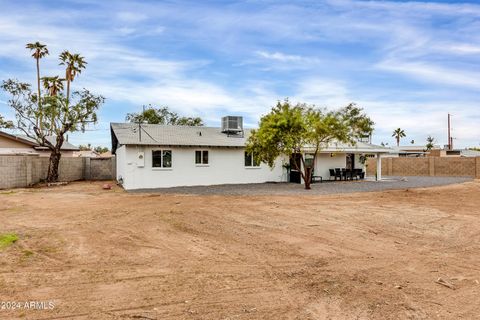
(112, 255)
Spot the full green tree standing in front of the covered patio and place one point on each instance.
(297, 129)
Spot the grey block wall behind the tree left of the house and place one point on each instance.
(23, 171)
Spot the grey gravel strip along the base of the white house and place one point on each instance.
(327, 187)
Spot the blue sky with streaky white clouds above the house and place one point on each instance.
(408, 64)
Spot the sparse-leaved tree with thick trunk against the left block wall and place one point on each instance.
(57, 114)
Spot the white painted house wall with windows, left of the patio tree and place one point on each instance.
(226, 166)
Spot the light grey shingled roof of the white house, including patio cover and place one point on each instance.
(188, 136)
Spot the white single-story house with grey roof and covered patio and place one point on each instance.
(159, 156)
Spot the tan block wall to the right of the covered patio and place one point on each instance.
(428, 166)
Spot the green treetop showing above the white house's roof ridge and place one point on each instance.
(162, 115)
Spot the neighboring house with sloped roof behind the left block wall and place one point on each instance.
(11, 144)
